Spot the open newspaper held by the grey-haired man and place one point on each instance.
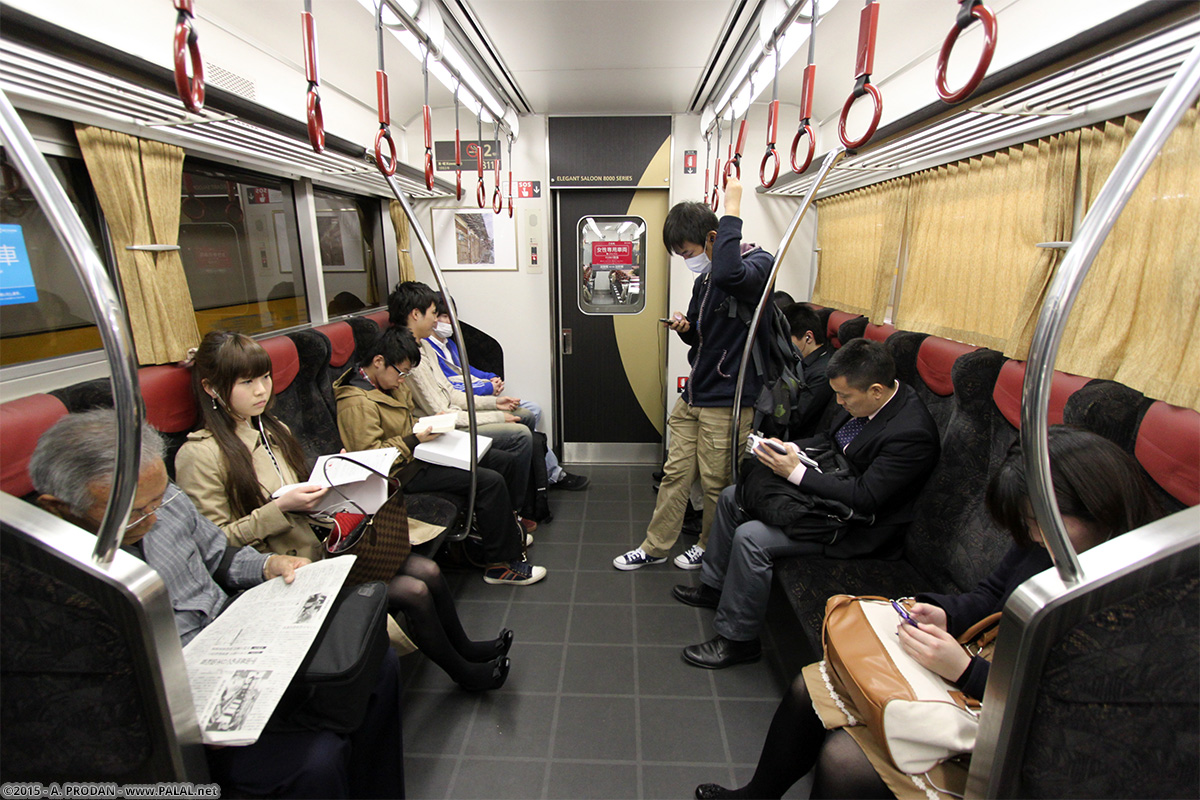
(242, 664)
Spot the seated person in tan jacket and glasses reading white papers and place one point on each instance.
(375, 410)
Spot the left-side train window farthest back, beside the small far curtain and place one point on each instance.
(347, 228)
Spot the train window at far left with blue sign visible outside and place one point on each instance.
(44, 306)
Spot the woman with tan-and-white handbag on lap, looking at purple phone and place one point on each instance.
(1101, 494)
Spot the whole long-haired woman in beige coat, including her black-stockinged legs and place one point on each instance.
(241, 455)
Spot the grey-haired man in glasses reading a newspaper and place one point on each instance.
(73, 473)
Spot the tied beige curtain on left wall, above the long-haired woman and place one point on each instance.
(139, 187)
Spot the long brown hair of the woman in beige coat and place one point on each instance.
(223, 360)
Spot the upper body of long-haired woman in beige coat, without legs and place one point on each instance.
(241, 455)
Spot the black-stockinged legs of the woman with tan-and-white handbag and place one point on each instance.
(797, 742)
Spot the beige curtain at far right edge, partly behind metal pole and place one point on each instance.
(1136, 320)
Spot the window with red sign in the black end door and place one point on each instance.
(613, 266)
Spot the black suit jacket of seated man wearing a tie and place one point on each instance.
(891, 459)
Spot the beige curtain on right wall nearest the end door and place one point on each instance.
(860, 236)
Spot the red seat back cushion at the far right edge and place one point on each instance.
(1169, 449)
